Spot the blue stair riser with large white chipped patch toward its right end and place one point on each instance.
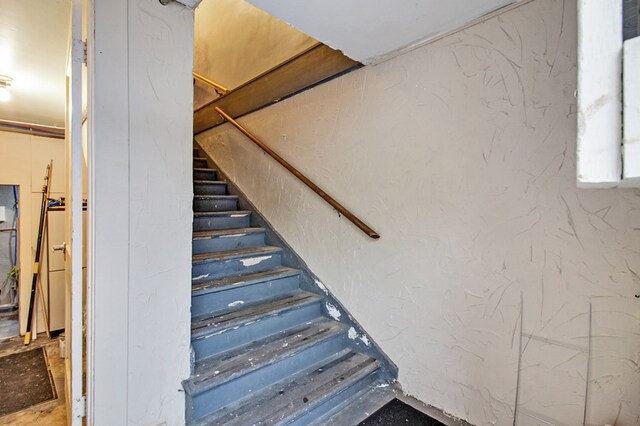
(207, 271)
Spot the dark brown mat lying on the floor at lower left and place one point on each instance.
(25, 381)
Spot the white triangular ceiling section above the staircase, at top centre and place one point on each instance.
(369, 31)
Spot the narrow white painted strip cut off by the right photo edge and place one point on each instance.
(631, 147)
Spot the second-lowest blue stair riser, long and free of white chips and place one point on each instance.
(224, 394)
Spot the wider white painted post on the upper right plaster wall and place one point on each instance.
(598, 156)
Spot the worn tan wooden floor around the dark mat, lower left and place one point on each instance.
(50, 413)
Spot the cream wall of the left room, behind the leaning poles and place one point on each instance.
(23, 161)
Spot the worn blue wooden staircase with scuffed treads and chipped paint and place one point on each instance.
(270, 345)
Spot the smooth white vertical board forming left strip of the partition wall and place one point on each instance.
(108, 213)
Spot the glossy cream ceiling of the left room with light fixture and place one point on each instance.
(33, 51)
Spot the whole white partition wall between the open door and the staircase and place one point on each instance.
(140, 194)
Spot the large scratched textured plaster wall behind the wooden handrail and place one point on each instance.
(461, 154)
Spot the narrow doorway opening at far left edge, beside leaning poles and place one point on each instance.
(9, 270)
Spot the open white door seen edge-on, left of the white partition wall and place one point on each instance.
(73, 212)
